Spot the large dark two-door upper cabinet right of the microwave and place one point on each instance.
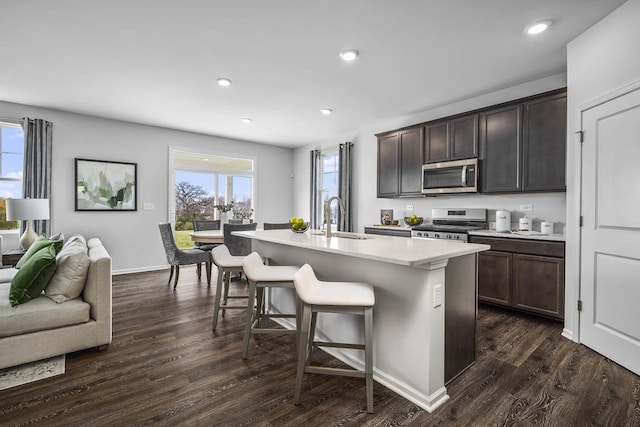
(523, 145)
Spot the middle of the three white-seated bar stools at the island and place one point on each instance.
(262, 276)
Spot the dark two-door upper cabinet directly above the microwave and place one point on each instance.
(453, 139)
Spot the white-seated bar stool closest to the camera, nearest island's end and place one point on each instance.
(333, 297)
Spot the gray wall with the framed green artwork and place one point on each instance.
(132, 238)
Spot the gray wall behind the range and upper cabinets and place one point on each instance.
(549, 206)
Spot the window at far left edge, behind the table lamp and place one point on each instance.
(11, 169)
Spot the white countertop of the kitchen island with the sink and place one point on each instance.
(390, 249)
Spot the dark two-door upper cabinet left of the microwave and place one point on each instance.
(400, 163)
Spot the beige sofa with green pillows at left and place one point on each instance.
(43, 328)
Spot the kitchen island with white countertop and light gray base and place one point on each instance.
(414, 281)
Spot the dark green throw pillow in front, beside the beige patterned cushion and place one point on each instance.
(33, 277)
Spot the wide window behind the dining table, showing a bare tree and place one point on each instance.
(202, 180)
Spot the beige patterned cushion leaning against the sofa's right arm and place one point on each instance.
(68, 281)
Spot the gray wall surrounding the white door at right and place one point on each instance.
(600, 61)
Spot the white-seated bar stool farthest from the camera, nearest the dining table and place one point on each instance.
(226, 264)
